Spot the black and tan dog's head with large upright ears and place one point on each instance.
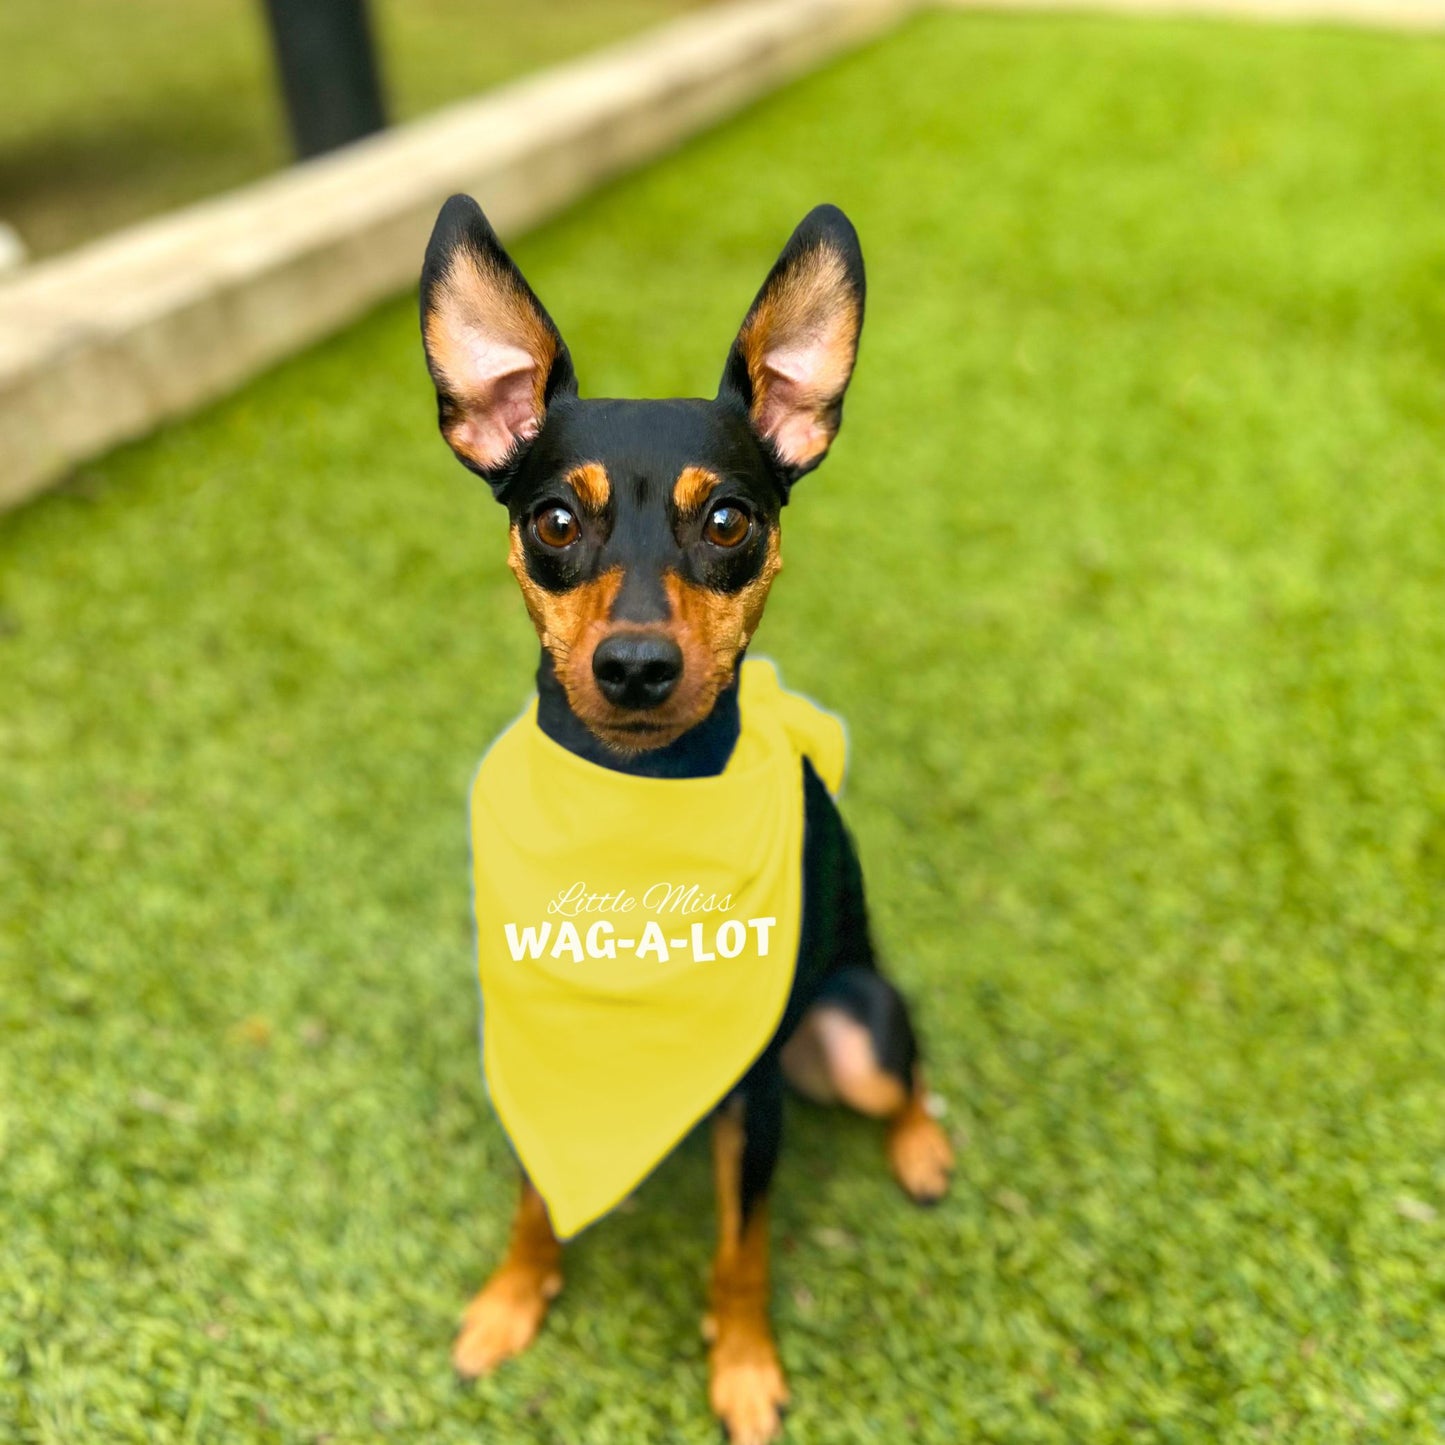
(645, 535)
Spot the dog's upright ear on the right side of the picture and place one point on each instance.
(794, 358)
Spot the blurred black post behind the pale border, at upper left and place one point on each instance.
(329, 72)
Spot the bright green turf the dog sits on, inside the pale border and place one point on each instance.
(1129, 576)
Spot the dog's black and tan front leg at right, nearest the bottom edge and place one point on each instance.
(746, 1381)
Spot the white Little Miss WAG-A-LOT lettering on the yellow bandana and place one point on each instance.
(654, 926)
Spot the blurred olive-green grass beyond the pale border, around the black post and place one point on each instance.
(113, 111)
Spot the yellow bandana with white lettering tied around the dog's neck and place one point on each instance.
(638, 939)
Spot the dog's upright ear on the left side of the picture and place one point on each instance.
(492, 350)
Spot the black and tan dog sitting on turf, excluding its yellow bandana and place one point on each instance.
(645, 537)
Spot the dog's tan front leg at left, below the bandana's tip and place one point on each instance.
(504, 1320)
